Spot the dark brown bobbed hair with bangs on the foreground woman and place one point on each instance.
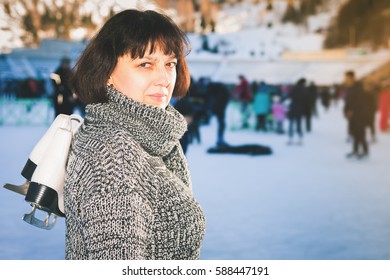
(129, 32)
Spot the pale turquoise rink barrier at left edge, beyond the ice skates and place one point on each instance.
(25, 111)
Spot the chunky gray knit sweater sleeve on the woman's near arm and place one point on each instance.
(117, 216)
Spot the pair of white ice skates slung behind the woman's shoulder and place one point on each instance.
(45, 171)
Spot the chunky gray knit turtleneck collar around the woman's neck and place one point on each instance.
(157, 130)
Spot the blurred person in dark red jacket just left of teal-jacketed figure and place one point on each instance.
(242, 92)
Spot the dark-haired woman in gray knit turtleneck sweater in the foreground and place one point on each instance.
(128, 191)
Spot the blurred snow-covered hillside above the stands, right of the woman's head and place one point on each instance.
(249, 29)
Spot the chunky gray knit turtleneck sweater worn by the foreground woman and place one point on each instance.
(127, 191)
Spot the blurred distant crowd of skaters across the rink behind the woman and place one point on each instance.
(282, 109)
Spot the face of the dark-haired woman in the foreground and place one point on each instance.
(149, 80)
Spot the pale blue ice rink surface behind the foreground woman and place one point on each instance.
(302, 202)
